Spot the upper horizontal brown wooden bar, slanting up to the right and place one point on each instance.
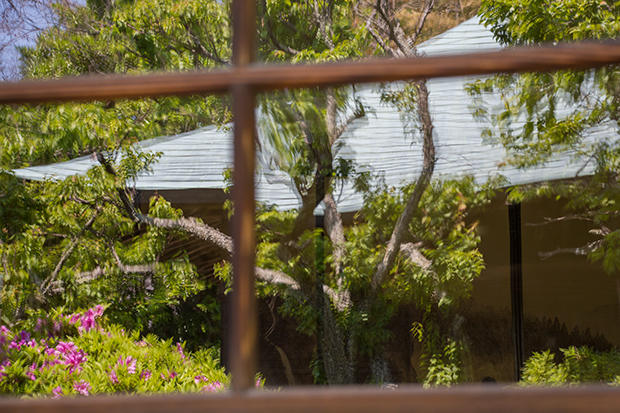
(271, 77)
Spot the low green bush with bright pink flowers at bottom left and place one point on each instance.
(60, 355)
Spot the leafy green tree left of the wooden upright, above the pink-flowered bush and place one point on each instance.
(62, 237)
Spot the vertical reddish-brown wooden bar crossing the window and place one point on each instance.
(243, 329)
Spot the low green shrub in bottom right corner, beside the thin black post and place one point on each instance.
(579, 365)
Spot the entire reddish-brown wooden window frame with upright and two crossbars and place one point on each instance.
(243, 81)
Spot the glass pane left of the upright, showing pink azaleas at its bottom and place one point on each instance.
(108, 285)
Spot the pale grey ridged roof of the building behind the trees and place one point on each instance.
(378, 142)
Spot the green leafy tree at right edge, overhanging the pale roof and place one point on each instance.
(551, 115)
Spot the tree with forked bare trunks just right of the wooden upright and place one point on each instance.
(380, 262)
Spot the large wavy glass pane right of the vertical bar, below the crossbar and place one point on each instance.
(445, 309)
